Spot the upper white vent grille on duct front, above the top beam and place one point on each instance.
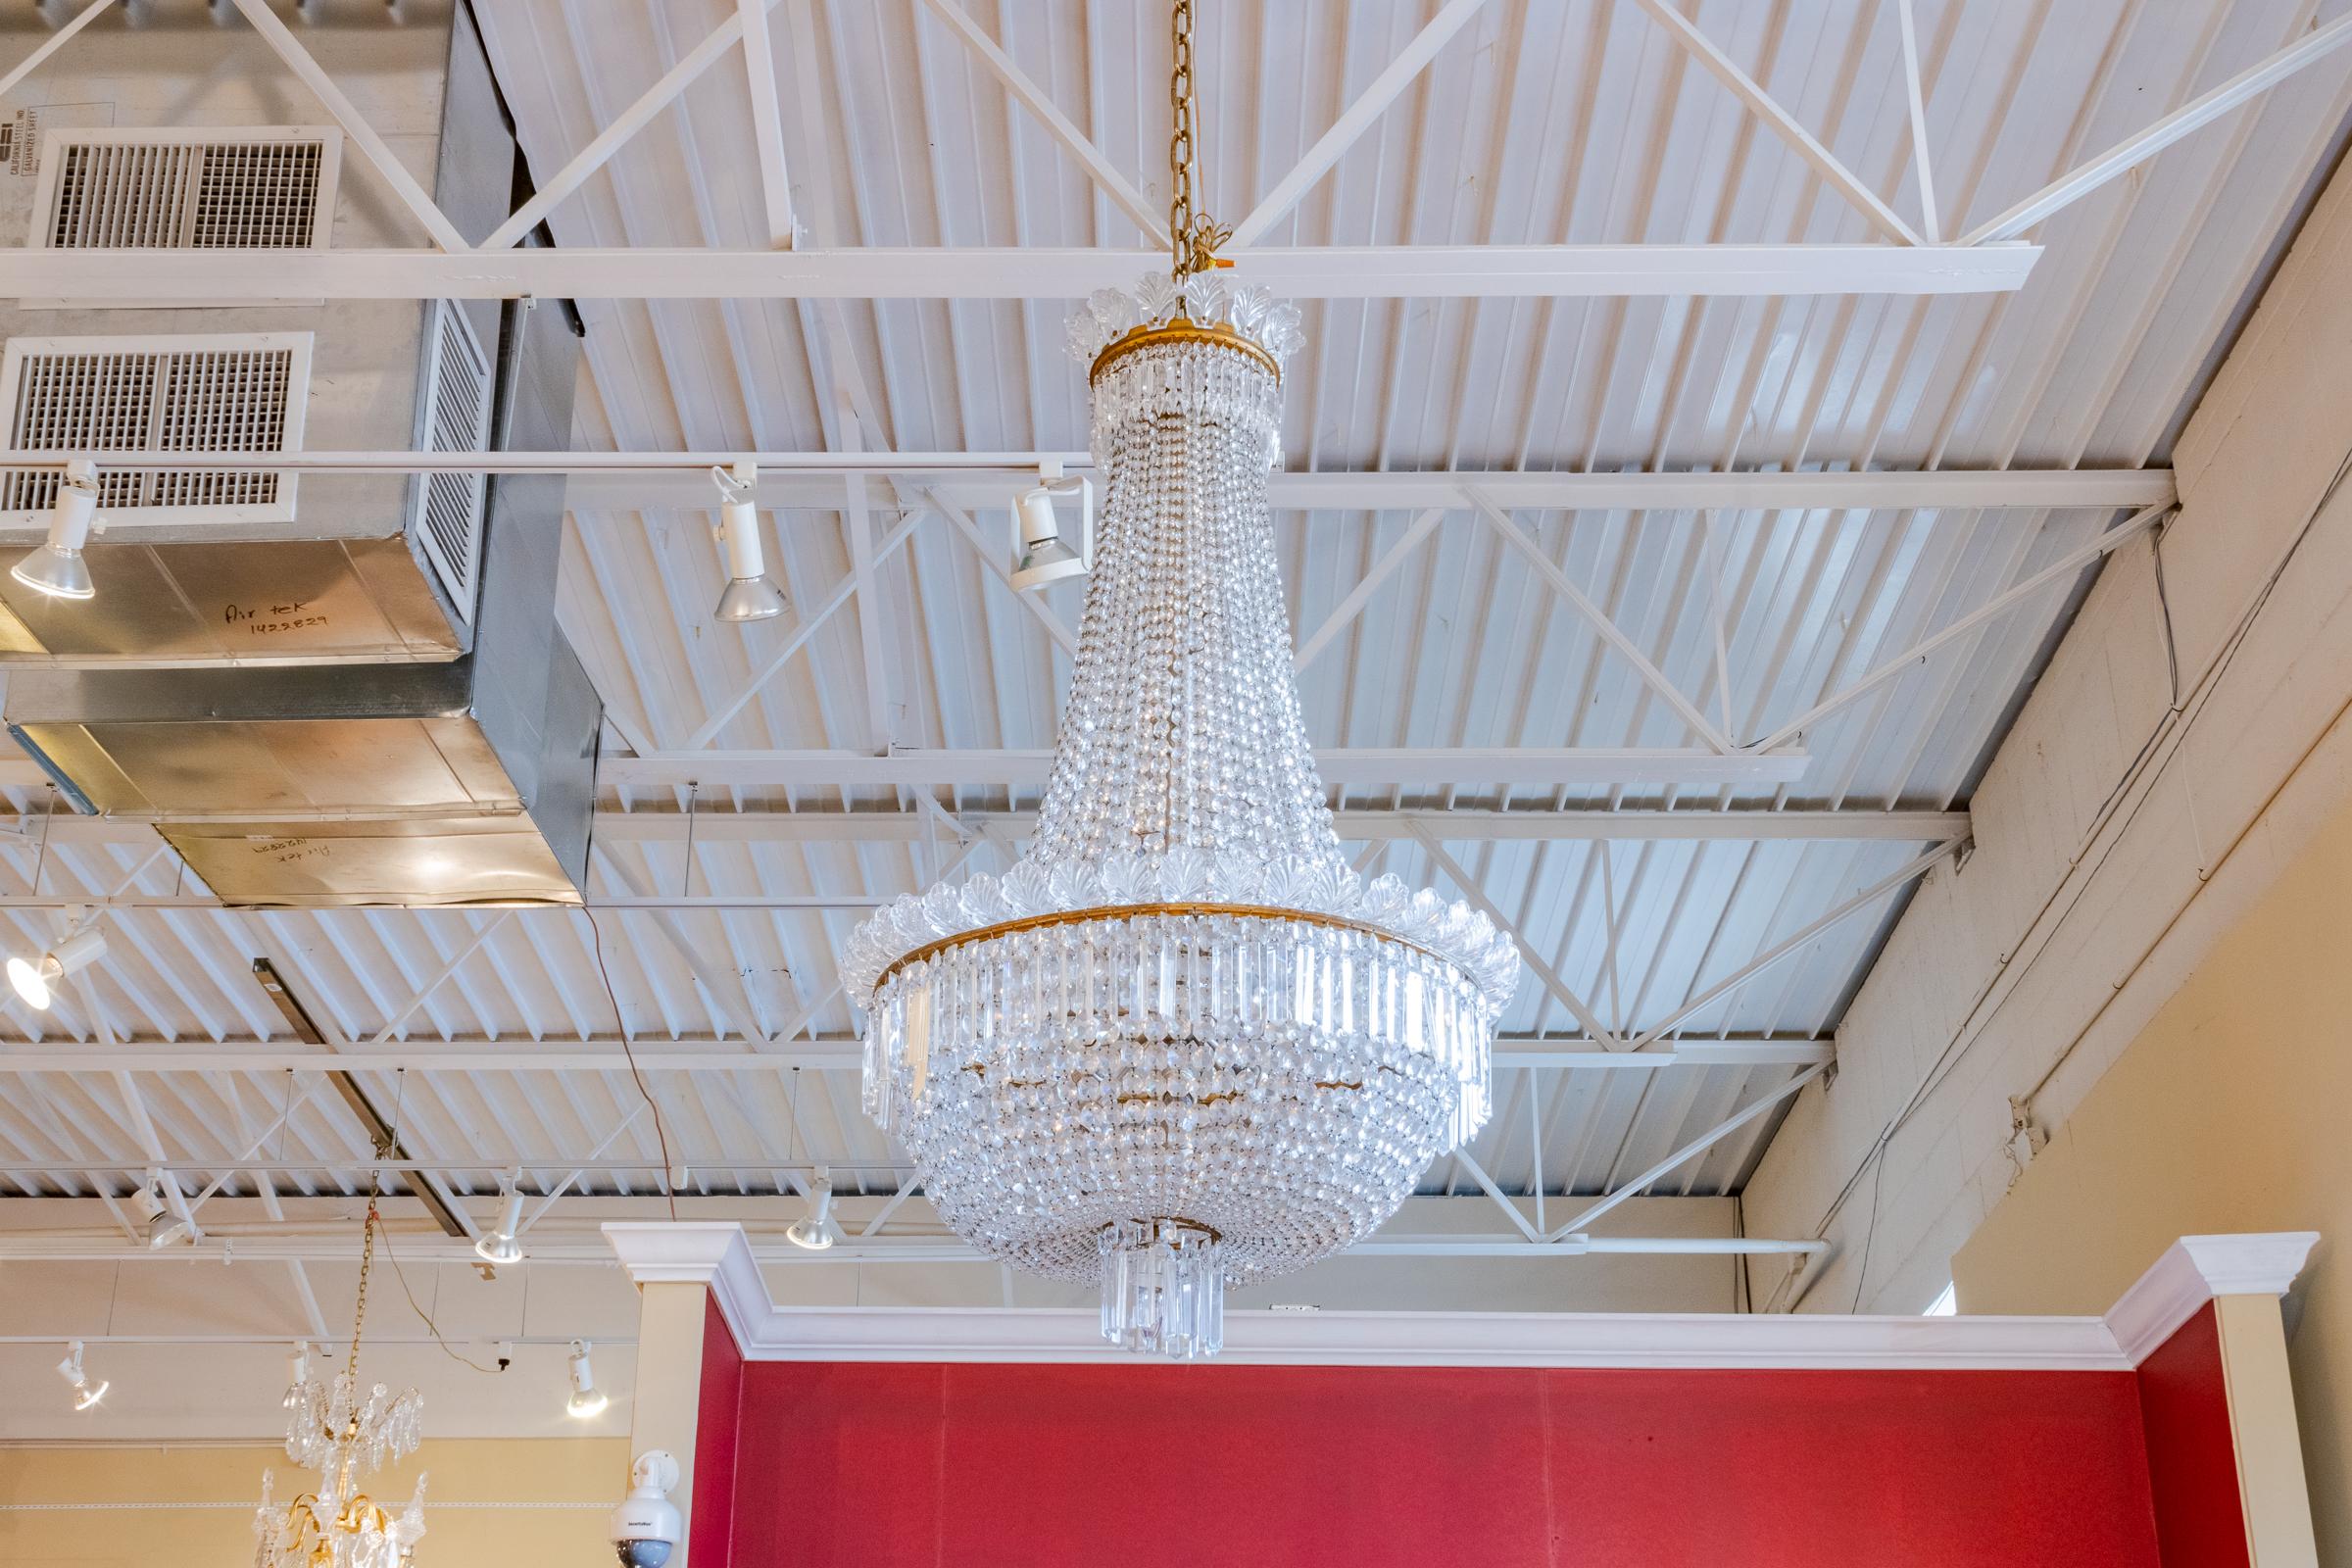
(203, 189)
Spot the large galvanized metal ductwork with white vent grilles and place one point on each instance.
(342, 692)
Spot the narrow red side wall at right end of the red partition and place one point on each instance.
(2191, 1456)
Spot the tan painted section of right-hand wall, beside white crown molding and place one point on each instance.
(2231, 1111)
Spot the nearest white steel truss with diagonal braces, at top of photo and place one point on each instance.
(1986, 260)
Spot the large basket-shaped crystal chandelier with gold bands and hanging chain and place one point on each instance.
(1182, 1045)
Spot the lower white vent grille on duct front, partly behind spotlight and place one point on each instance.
(159, 394)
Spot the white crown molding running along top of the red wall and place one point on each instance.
(2184, 1280)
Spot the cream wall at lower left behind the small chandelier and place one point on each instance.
(138, 1508)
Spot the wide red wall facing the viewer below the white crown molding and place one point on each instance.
(1147, 1466)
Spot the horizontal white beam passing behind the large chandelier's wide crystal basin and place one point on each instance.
(829, 1054)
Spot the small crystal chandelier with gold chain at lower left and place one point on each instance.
(345, 1438)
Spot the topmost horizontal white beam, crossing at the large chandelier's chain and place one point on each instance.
(1060, 274)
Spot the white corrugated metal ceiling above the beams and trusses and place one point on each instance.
(1544, 121)
